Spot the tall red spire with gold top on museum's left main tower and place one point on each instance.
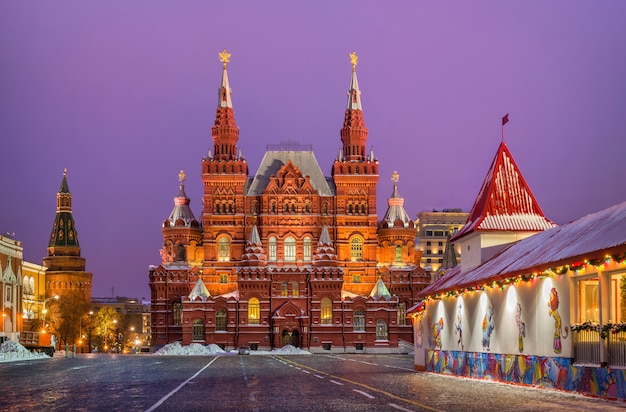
(225, 132)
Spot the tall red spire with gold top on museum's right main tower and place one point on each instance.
(354, 132)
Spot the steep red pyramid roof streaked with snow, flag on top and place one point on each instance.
(505, 202)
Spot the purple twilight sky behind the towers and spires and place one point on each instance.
(123, 95)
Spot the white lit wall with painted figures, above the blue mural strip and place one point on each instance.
(528, 317)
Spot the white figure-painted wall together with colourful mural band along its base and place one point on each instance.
(518, 334)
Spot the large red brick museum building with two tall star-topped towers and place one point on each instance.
(287, 256)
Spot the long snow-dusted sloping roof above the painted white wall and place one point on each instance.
(591, 237)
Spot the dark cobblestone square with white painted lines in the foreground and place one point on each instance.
(263, 383)
